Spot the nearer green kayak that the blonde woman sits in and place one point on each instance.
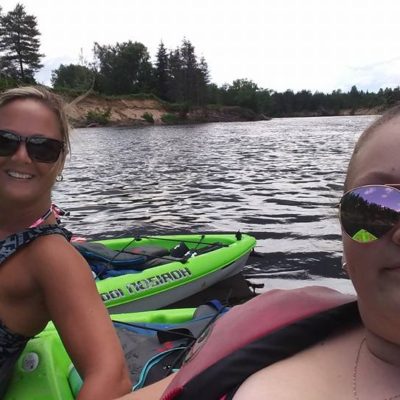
(44, 370)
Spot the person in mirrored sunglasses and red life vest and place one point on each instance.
(316, 343)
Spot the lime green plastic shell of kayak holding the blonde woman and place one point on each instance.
(44, 370)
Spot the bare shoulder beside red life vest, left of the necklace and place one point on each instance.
(322, 371)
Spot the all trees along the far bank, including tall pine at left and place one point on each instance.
(176, 76)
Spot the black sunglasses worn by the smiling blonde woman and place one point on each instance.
(39, 148)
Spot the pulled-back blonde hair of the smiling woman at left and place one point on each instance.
(51, 100)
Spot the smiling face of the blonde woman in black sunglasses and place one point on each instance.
(23, 180)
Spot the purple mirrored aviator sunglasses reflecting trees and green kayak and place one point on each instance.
(367, 213)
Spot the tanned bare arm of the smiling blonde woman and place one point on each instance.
(74, 305)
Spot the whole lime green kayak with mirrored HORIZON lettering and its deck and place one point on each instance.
(172, 268)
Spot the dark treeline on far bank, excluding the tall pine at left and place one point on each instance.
(177, 76)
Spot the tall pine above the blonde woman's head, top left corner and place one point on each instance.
(19, 43)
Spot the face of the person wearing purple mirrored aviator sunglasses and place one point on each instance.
(375, 267)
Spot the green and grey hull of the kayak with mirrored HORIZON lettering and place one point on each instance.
(162, 285)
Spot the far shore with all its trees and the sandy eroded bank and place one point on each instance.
(124, 86)
